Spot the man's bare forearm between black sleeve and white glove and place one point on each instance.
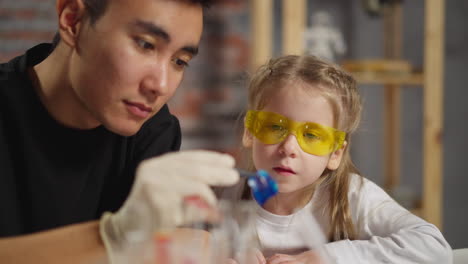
(74, 244)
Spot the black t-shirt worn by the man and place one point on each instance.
(52, 175)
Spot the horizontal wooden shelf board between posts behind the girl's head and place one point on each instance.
(415, 79)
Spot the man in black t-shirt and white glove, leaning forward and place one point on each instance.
(76, 121)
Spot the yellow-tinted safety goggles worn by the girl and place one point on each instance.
(273, 128)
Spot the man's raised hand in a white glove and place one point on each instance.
(156, 200)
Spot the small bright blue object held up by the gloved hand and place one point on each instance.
(262, 185)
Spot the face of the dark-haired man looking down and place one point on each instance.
(130, 62)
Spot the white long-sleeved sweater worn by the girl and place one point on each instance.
(387, 232)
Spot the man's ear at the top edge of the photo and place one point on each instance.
(70, 16)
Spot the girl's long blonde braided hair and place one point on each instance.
(340, 89)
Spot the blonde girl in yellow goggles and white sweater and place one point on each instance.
(302, 113)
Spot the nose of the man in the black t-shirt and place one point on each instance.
(156, 82)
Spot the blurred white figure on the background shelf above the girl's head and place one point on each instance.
(323, 39)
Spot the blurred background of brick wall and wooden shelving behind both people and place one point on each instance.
(410, 144)
